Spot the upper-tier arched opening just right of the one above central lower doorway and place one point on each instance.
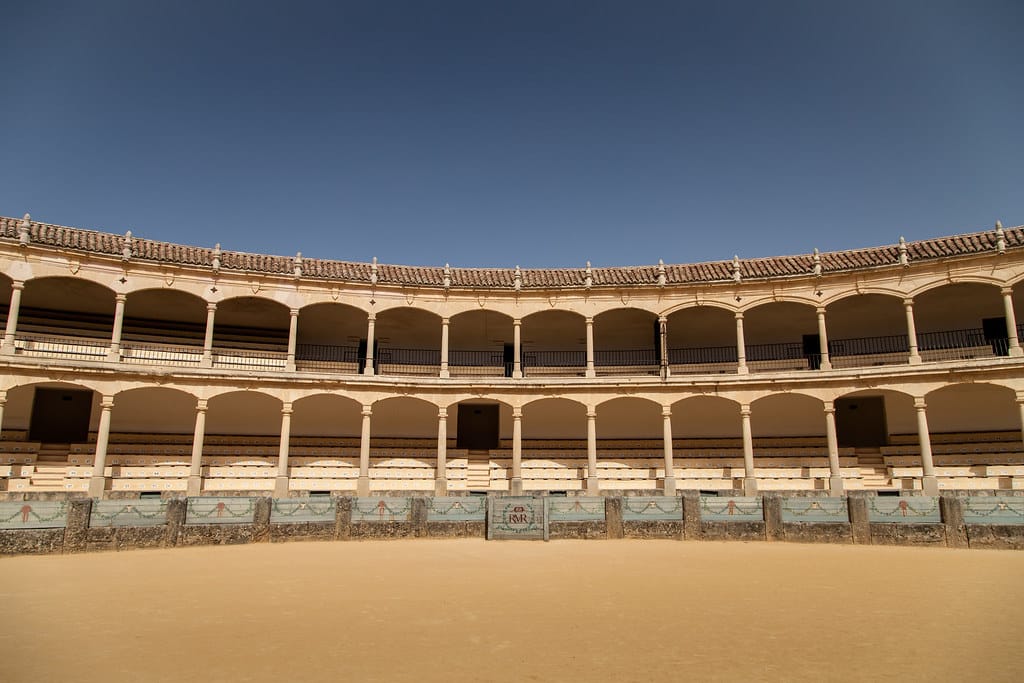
(554, 343)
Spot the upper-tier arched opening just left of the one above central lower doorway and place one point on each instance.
(409, 343)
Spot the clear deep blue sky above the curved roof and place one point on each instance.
(502, 134)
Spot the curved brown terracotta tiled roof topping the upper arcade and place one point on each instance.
(756, 269)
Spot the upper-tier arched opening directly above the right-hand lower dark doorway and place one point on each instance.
(867, 330)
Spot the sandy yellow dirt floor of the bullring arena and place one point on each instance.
(459, 611)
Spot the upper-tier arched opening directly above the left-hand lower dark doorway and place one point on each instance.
(65, 318)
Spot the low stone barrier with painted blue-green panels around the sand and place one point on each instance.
(86, 525)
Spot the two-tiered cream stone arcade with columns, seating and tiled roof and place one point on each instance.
(136, 367)
